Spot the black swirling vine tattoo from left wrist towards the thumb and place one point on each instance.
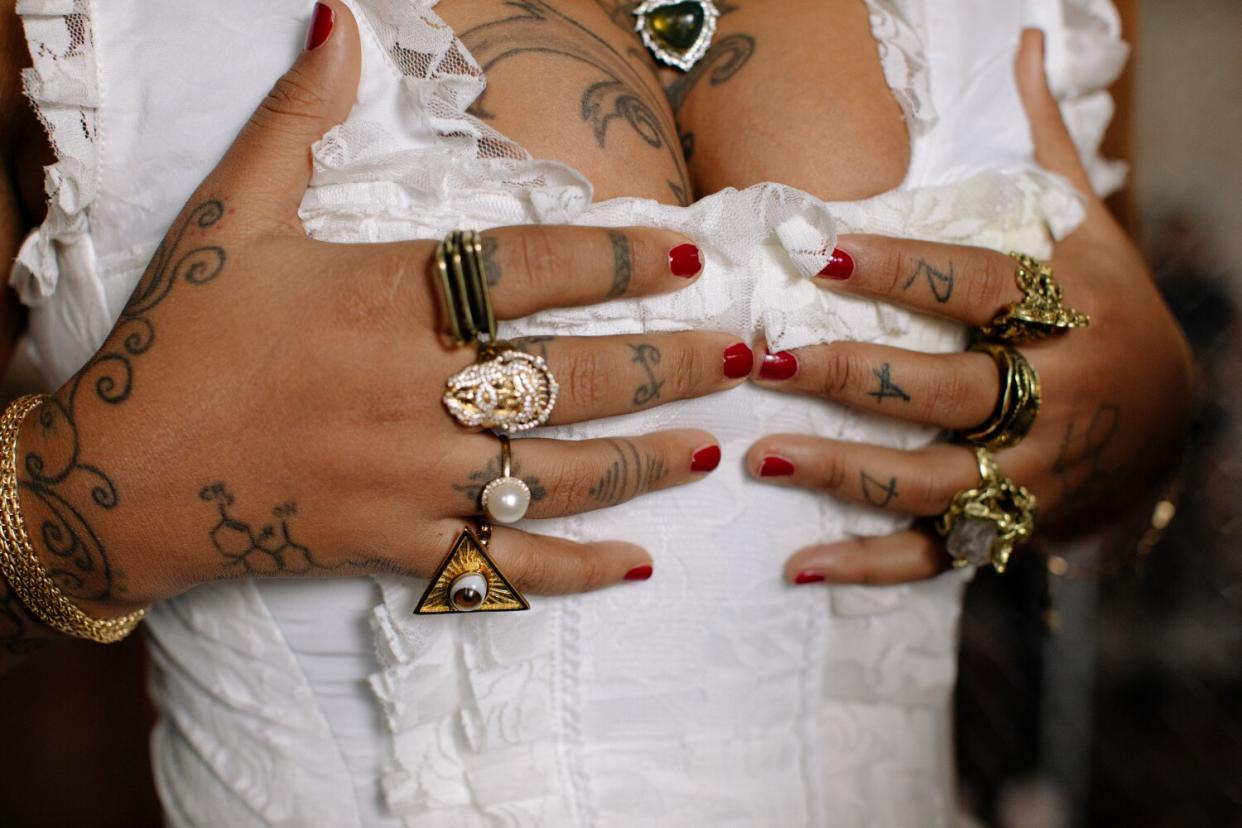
(57, 471)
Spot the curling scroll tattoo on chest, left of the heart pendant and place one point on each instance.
(622, 92)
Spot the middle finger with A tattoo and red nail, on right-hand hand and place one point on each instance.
(945, 390)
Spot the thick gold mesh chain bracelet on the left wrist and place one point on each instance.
(20, 563)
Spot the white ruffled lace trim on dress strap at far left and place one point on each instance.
(63, 85)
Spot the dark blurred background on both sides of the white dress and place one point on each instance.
(1090, 696)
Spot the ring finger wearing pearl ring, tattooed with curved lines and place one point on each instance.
(571, 477)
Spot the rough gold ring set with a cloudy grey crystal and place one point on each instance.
(984, 524)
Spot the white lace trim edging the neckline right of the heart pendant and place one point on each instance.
(896, 27)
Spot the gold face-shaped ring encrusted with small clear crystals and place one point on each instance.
(506, 390)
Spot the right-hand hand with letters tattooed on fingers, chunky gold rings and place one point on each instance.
(1117, 395)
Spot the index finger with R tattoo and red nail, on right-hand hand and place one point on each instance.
(969, 285)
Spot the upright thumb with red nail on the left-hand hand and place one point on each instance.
(269, 166)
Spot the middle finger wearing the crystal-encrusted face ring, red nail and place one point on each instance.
(604, 377)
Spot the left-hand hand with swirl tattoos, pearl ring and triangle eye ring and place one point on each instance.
(271, 405)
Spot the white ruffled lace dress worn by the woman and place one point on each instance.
(712, 696)
